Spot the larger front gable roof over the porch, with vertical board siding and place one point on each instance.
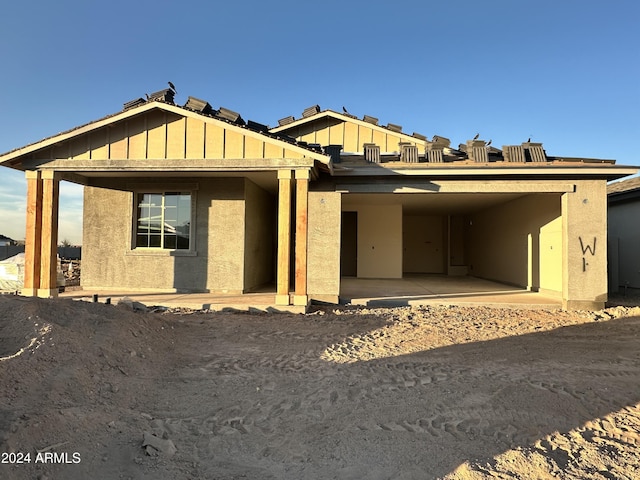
(253, 138)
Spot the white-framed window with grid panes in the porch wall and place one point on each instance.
(163, 220)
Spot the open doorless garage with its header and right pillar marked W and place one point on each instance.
(517, 233)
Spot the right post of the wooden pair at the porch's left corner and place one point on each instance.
(49, 236)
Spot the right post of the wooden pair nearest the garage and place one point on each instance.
(302, 210)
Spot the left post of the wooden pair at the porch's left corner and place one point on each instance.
(33, 234)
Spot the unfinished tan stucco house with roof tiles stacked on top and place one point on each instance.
(194, 199)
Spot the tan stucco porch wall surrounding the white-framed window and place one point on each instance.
(229, 254)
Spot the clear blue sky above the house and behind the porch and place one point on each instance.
(563, 72)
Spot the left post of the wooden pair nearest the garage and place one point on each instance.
(284, 237)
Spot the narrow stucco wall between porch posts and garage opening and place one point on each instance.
(323, 257)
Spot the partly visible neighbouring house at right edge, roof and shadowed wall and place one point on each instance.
(624, 234)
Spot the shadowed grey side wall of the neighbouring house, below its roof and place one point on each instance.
(624, 231)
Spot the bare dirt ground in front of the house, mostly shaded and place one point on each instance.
(110, 392)
